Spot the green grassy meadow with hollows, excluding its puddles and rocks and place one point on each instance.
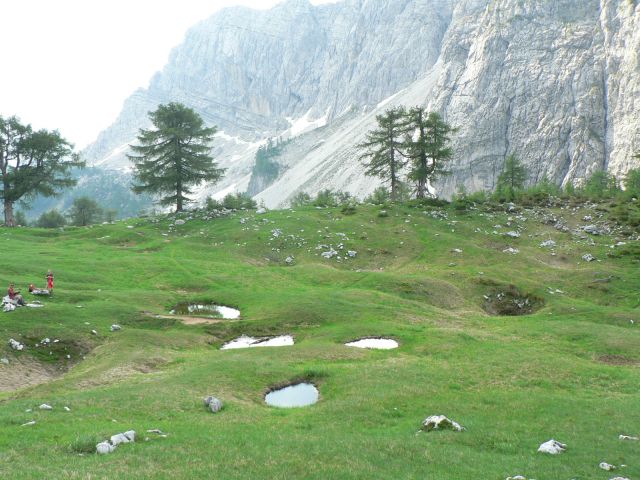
(569, 371)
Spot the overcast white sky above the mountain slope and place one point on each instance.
(70, 64)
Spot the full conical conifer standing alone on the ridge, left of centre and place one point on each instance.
(174, 156)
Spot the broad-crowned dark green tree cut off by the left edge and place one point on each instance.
(32, 163)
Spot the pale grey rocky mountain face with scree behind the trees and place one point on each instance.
(554, 81)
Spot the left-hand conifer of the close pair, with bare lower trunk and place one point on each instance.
(382, 150)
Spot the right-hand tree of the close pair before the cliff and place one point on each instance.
(429, 149)
